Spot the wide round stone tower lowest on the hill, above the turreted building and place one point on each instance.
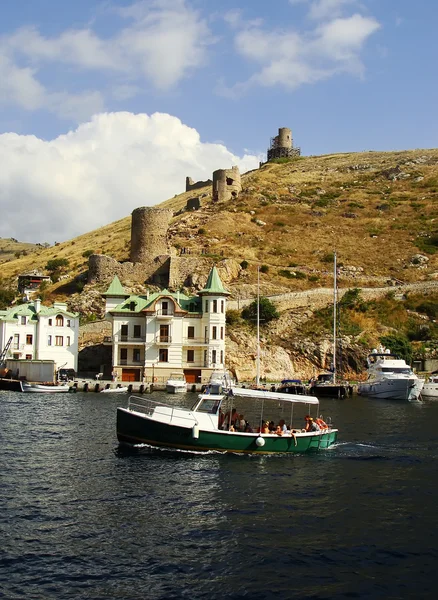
(149, 233)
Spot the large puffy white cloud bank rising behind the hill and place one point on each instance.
(57, 189)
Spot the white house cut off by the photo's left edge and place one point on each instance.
(41, 333)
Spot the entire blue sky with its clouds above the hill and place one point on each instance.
(107, 105)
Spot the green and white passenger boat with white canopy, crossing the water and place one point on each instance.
(197, 429)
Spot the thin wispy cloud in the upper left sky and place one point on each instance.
(160, 45)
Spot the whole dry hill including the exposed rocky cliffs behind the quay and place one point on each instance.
(378, 210)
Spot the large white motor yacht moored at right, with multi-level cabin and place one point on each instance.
(390, 377)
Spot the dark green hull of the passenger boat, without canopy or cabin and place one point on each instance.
(137, 428)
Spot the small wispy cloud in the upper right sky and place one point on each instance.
(291, 58)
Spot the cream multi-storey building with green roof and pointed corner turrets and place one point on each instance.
(166, 332)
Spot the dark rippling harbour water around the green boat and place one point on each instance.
(82, 518)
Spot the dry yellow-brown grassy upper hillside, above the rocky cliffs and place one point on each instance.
(377, 209)
